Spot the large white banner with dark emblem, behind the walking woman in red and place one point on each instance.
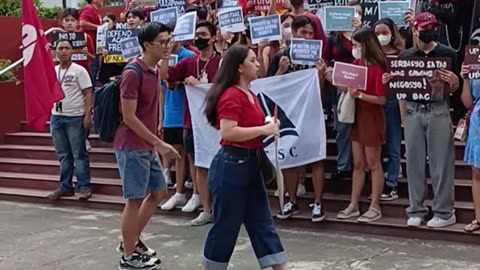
(302, 125)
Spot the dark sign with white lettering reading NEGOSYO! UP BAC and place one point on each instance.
(417, 79)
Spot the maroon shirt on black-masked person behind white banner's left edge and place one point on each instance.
(188, 67)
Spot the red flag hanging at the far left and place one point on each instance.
(42, 89)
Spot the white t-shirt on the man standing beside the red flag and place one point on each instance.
(73, 80)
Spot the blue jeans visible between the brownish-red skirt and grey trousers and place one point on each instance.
(392, 146)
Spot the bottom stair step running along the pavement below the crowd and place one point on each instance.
(386, 226)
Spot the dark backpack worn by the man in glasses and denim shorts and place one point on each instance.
(106, 106)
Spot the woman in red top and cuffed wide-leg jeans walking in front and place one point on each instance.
(234, 178)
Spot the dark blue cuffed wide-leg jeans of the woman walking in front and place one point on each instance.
(239, 196)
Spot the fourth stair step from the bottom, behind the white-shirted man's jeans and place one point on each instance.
(96, 154)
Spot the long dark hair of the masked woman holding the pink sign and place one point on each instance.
(371, 49)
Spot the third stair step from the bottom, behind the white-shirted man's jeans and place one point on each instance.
(97, 169)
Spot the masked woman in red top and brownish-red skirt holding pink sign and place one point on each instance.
(368, 130)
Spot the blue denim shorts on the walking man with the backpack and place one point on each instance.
(141, 173)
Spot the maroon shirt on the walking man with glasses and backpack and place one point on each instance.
(147, 97)
